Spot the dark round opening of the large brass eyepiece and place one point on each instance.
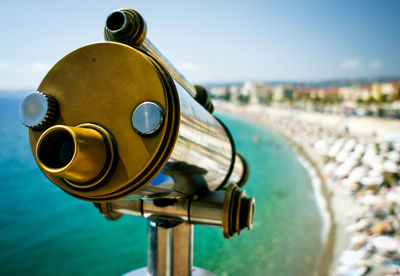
(56, 149)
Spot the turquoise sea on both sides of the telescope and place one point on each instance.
(44, 231)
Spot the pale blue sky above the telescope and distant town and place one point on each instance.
(214, 41)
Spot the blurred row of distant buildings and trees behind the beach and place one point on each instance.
(380, 99)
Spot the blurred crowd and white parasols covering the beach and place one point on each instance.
(364, 172)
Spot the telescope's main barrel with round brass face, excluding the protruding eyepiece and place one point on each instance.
(175, 148)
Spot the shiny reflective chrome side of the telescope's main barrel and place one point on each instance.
(202, 151)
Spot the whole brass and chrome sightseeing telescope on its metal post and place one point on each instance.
(114, 123)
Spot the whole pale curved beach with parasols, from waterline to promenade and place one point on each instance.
(353, 162)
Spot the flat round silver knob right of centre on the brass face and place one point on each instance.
(147, 118)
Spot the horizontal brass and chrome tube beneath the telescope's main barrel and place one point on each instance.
(231, 210)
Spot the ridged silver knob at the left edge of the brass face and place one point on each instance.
(38, 111)
